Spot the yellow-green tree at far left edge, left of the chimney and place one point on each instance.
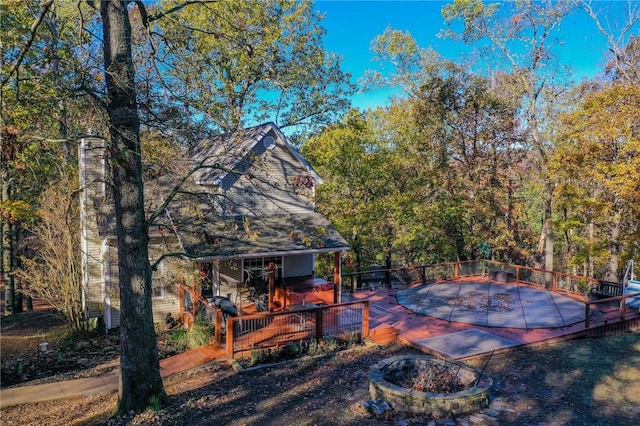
(43, 92)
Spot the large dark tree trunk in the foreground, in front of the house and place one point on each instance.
(140, 382)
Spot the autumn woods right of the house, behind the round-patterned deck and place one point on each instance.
(455, 171)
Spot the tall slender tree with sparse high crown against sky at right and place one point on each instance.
(523, 38)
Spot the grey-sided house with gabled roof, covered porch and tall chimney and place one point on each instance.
(246, 205)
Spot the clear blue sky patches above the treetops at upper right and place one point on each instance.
(352, 25)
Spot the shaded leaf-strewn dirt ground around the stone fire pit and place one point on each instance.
(581, 382)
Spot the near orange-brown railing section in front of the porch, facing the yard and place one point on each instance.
(302, 324)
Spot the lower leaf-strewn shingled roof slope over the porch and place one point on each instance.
(203, 234)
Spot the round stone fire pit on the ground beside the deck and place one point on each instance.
(429, 385)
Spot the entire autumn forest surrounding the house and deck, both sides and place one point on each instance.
(503, 158)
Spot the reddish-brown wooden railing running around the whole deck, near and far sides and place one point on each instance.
(306, 323)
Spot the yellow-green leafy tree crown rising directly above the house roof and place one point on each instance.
(234, 62)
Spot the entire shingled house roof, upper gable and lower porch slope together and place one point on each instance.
(193, 218)
